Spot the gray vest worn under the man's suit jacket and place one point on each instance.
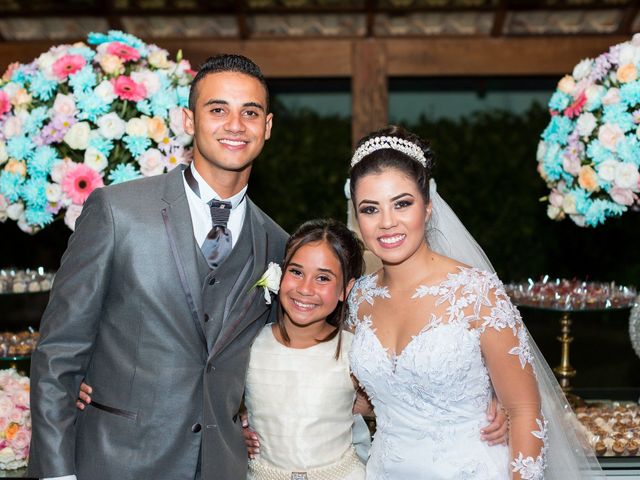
(217, 284)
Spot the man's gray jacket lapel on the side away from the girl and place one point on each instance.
(177, 219)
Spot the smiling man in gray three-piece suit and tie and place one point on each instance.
(153, 306)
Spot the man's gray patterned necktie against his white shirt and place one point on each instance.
(217, 246)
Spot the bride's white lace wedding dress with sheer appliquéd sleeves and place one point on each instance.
(430, 399)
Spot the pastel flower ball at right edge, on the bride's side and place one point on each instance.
(590, 152)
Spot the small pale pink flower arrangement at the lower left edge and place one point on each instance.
(15, 420)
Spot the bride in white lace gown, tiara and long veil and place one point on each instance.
(436, 335)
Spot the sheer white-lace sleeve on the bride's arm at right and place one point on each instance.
(505, 347)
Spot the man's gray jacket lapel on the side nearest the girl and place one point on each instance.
(246, 304)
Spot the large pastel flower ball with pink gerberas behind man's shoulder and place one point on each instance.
(82, 116)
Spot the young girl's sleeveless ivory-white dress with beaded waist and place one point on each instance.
(299, 402)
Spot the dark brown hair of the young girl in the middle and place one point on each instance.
(348, 250)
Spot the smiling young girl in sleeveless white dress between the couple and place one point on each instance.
(299, 391)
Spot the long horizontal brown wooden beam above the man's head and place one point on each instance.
(405, 57)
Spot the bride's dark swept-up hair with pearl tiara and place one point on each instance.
(393, 147)
